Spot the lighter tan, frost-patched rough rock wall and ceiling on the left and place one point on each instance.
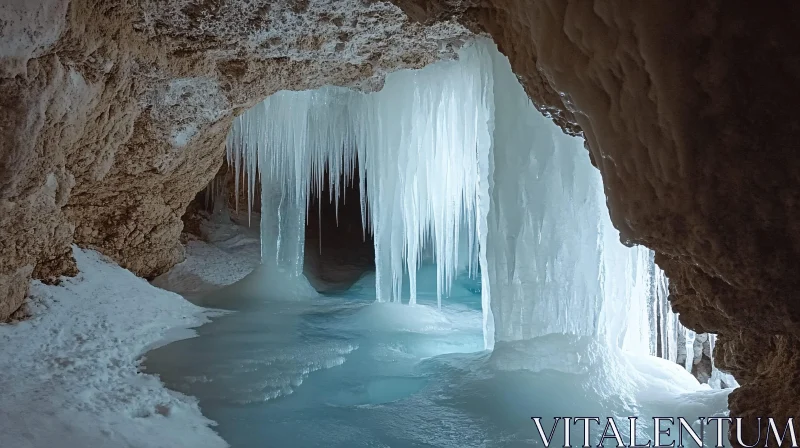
(113, 114)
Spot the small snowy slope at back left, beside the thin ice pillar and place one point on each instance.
(233, 250)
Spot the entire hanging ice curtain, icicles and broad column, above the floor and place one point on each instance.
(454, 160)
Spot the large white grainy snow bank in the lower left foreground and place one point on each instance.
(69, 377)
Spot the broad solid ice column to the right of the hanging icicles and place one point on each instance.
(555, 261)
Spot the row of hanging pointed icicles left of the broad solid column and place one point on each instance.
(422, 146)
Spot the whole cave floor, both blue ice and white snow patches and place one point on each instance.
(293, 369)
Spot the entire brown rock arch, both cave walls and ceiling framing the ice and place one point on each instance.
(113, 116)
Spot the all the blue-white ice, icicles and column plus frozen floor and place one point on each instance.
(499, 286)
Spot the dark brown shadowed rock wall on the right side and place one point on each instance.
(688, 111)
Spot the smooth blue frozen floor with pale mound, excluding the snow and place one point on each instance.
(292, 370)
